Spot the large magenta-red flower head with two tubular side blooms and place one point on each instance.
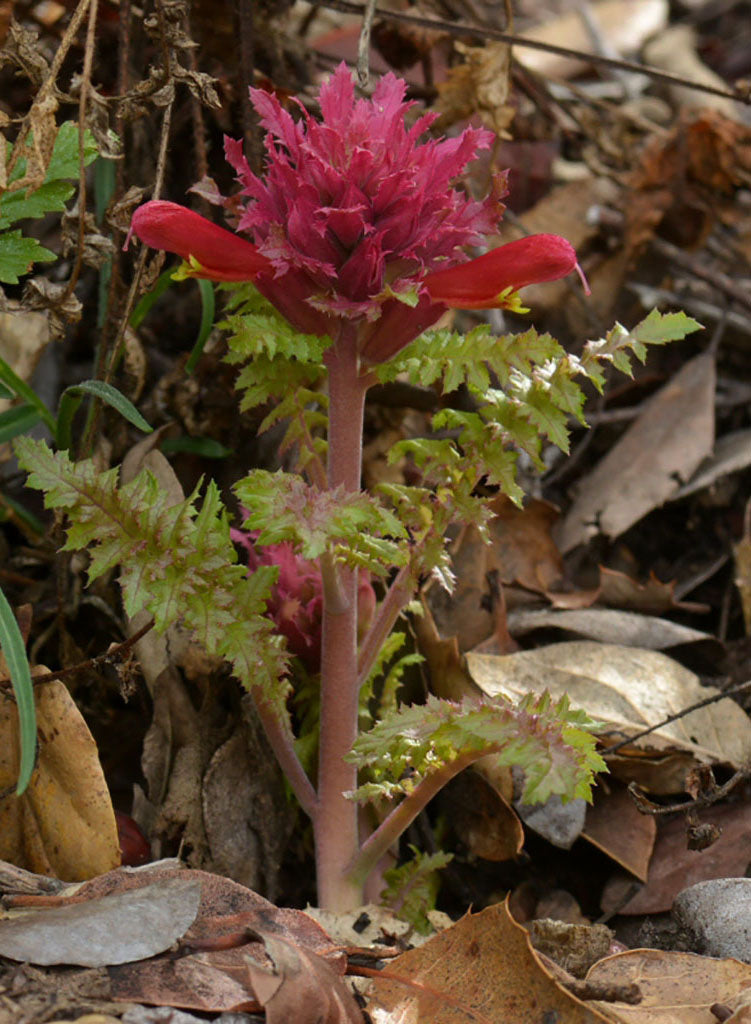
(353, 210)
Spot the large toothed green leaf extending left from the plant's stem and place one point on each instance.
(177, 561)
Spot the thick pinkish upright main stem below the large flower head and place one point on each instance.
(336, 819)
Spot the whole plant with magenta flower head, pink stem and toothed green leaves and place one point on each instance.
(345, 255)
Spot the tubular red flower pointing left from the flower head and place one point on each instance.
(213, 252)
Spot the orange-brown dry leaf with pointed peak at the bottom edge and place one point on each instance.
(482, 971)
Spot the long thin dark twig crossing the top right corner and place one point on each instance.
(454, 29)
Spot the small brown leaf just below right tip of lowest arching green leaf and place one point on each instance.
(620, 831)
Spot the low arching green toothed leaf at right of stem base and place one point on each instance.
(553, 744)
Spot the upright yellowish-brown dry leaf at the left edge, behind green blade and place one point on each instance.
(64, 825)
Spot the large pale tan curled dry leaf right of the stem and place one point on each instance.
(628, 689)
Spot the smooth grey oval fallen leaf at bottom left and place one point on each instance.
(118, 928)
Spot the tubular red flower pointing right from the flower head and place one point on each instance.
(492, 280)
